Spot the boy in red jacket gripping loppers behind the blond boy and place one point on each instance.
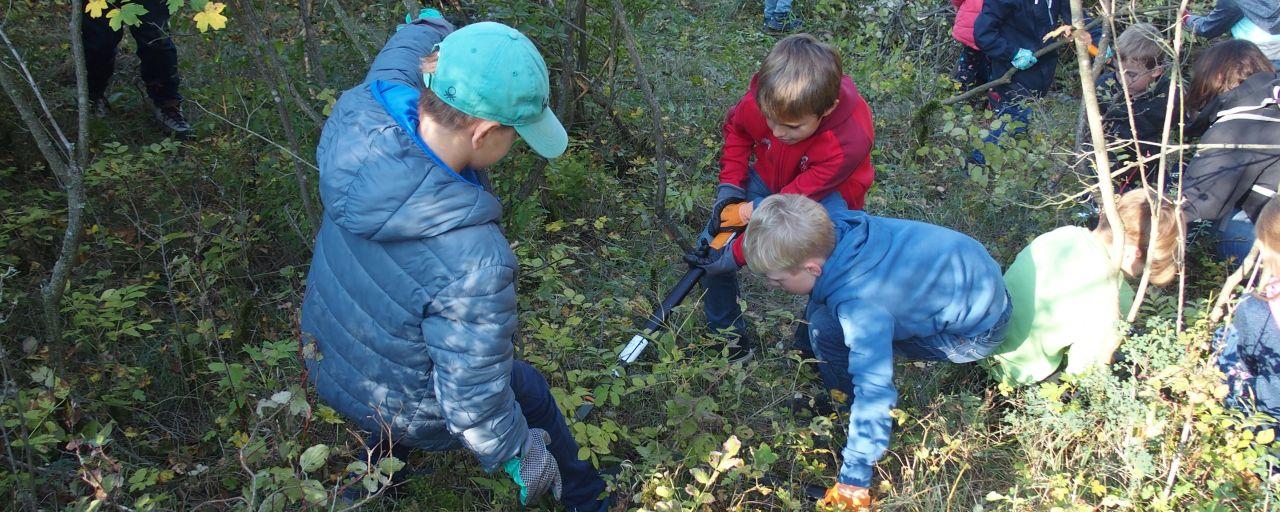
(801, 129)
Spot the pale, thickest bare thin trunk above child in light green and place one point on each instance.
(1101, 161)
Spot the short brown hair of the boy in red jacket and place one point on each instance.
(799, 77)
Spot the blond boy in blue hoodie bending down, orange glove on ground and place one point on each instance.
(876, 287)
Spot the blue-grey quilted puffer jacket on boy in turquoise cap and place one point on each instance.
(412, 299)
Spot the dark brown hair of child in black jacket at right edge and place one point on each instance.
(1222, 68)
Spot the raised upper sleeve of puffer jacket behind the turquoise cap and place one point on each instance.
(401, 58)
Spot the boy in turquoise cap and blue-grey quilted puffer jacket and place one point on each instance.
(412, 301)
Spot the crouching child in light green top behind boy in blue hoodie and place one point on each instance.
(1069, 292)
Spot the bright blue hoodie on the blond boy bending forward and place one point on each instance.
(892, 280)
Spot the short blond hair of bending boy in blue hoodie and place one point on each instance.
(787, 231)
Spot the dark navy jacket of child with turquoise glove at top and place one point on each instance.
(1007, 26)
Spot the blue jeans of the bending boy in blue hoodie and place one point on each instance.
(825, 340)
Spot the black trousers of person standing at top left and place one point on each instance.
(156, 49)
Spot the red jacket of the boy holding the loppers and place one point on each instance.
(835, 158)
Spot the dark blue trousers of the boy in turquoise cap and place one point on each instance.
(582, 483)
